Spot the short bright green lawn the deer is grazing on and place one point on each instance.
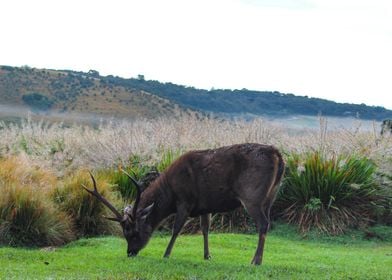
(286, 256)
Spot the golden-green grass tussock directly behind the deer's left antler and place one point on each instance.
(87, 213)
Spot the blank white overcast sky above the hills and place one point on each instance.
(339, 50)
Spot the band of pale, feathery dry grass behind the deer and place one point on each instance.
(66, 149)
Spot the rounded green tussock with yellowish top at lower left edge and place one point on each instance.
(27, 218)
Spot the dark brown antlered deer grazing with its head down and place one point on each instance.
(200, 183)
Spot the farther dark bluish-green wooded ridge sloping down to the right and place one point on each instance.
(245, 101)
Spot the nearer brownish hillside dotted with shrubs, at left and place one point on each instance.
(42, 90)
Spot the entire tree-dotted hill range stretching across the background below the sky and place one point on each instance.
(70, 91)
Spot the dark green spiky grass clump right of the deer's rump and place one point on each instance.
(328, 193)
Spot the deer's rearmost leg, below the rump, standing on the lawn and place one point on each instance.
(261, 219)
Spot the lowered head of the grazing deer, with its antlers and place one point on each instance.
(133, 222)
